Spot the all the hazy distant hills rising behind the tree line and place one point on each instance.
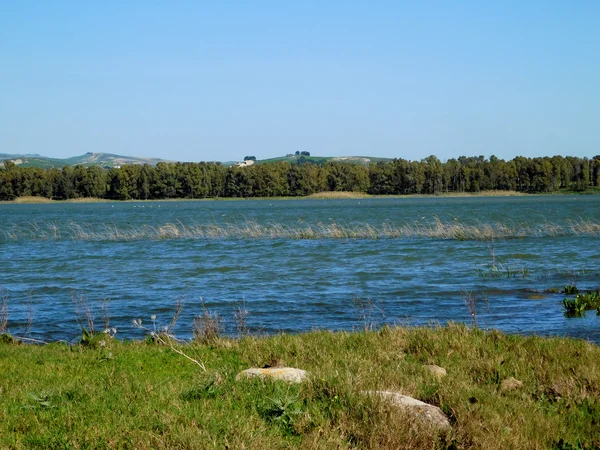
(109, 160)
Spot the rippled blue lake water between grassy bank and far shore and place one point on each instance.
(299, 265)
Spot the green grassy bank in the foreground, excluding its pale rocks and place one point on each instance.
(145, 395)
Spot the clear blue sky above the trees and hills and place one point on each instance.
(199, 80)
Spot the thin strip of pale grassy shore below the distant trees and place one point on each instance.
(316, 196)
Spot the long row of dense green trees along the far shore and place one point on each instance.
(211, 180)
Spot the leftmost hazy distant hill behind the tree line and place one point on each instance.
(106, 160)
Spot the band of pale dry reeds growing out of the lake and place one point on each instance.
(432, 229)
